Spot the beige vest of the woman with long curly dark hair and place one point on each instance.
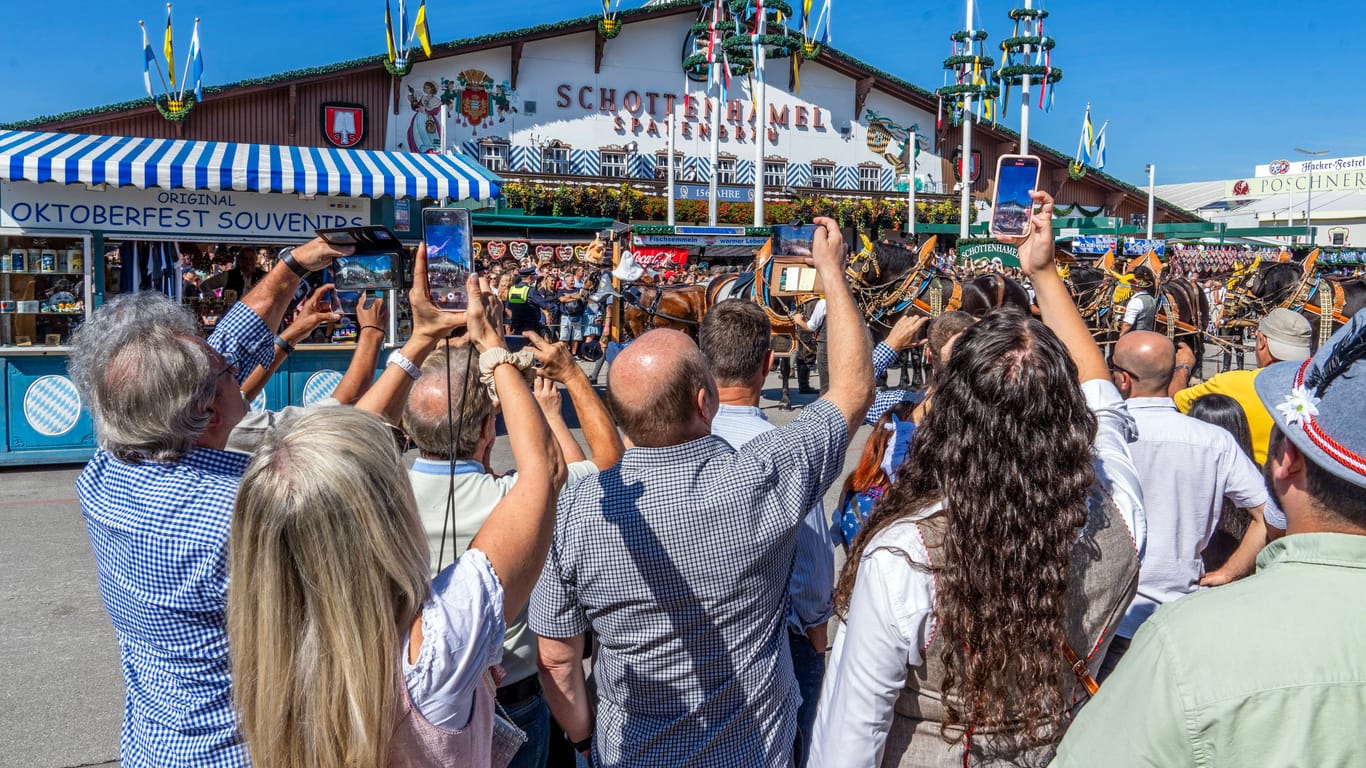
(1103, 579)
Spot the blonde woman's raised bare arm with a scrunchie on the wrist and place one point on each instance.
(517, 535)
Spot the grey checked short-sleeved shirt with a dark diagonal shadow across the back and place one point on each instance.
(680, 561)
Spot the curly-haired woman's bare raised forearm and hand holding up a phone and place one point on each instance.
(1055, 304)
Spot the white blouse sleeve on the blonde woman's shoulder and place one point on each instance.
(462, 637)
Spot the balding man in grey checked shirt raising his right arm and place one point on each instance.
(680, 557)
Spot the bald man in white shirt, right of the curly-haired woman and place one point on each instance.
(1188, 469)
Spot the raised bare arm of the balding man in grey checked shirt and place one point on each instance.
(850, 346)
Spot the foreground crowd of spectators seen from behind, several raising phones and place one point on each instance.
(1051, 556)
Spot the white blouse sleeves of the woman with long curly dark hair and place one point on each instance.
(891, 616)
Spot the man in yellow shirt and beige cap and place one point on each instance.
(1283, 335)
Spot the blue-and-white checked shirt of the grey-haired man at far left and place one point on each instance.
(161, 532)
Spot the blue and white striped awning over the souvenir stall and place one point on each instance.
(173, 165)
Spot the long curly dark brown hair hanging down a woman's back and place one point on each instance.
(1007, 448)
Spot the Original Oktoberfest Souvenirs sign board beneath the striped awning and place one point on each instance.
(163, 212)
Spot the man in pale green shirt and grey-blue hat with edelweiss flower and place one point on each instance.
(1268, 672)
